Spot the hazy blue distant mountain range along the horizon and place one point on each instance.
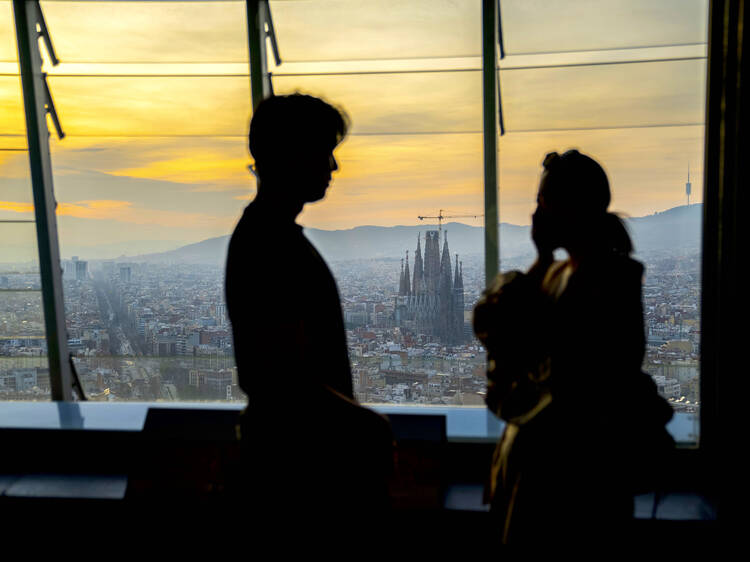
(677, 228)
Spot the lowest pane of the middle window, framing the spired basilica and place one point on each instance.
(407, 348)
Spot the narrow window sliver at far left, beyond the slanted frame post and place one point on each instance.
(24, 369)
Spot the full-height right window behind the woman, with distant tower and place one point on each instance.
(635, 101)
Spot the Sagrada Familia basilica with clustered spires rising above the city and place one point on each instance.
(432, 301)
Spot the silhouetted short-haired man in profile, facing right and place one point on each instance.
(307, 445)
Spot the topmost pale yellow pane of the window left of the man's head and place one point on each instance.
(148, 31)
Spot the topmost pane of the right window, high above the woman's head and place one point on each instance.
(574, 25)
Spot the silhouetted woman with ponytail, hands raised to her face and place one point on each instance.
(565, 341)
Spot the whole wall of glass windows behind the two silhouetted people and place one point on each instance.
(154, 98)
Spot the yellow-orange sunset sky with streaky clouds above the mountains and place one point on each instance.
(155, 100)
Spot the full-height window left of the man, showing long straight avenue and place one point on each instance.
(151, 177)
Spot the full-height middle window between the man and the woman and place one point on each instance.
(410, 171)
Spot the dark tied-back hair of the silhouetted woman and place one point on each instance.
(576, 184)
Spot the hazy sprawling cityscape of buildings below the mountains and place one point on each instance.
(158, 331)
